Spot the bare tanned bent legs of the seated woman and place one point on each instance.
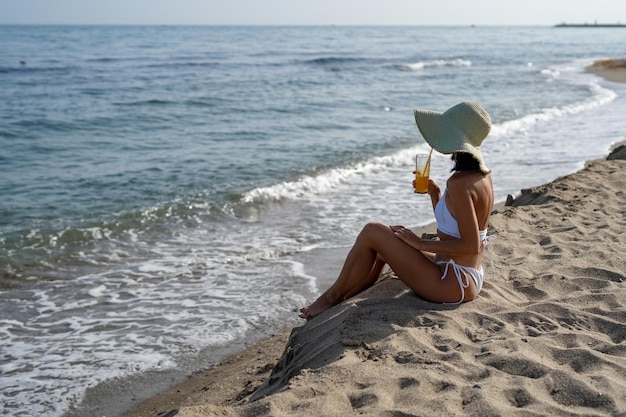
(416, 270)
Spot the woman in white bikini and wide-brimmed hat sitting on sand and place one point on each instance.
(447, 270)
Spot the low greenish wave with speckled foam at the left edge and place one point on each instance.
(32, 251)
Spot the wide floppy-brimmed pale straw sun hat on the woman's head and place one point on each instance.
(461, 128)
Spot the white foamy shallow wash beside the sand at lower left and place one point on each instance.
(106, 329)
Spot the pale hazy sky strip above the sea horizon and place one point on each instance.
(312, 12)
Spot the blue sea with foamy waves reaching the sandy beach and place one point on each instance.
(166, 192)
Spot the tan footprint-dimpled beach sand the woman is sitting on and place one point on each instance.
(546, 336)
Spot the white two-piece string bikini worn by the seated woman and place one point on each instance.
(447, 224)
